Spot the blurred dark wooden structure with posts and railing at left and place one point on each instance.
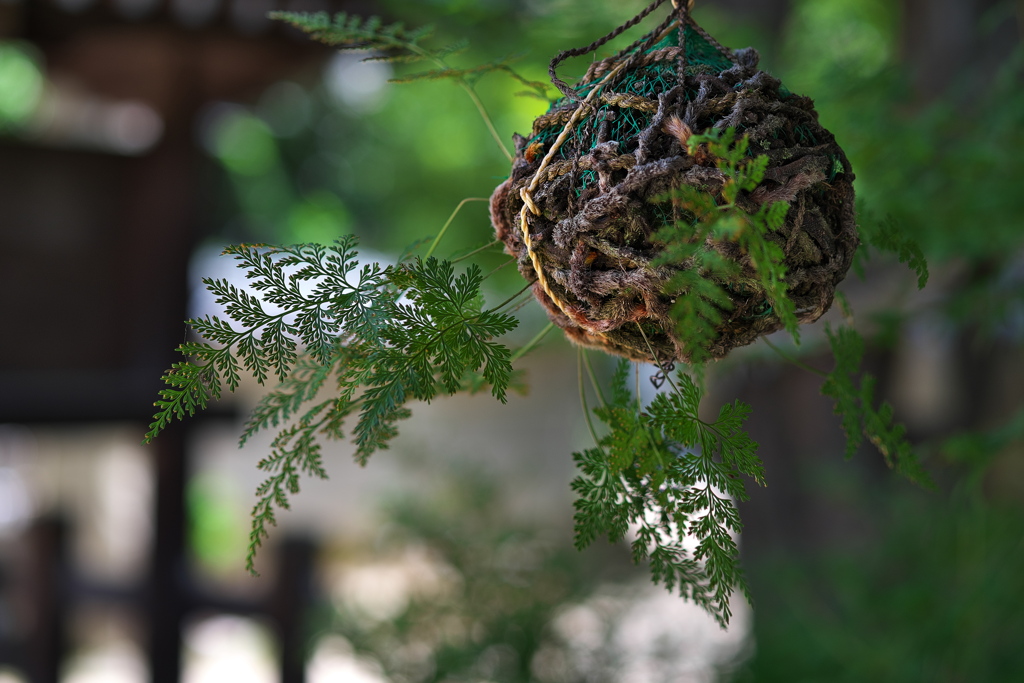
(99, 217)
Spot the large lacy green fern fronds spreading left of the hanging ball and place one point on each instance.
(388, 336)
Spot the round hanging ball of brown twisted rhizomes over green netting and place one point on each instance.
(593, 208)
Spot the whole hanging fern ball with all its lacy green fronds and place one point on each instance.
(674, 204)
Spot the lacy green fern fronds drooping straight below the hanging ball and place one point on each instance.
(670, 475)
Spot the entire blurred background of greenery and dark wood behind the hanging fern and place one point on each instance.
(139, 138)
